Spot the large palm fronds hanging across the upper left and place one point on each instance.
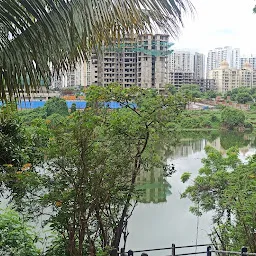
(37, 35)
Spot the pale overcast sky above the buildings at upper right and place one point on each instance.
(219, 23)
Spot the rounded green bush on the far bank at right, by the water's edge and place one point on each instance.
(231, 118)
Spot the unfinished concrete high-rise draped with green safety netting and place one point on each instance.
(136, 60)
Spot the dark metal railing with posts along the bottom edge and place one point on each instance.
(208, 251)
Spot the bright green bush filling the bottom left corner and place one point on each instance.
(16, 237)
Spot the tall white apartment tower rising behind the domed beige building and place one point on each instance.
(218, 55)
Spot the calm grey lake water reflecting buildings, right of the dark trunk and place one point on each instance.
(162, 218)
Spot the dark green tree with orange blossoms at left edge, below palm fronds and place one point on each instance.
(20, 152)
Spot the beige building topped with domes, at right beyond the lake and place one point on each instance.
(227, 78)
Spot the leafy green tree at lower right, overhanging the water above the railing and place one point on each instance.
(226, 187)
